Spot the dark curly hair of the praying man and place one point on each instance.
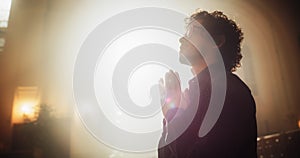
(216, 23)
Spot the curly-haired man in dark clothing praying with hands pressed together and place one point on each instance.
(234, 133)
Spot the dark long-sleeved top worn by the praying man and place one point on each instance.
(233, 136)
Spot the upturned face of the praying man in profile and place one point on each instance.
(194, 40)
